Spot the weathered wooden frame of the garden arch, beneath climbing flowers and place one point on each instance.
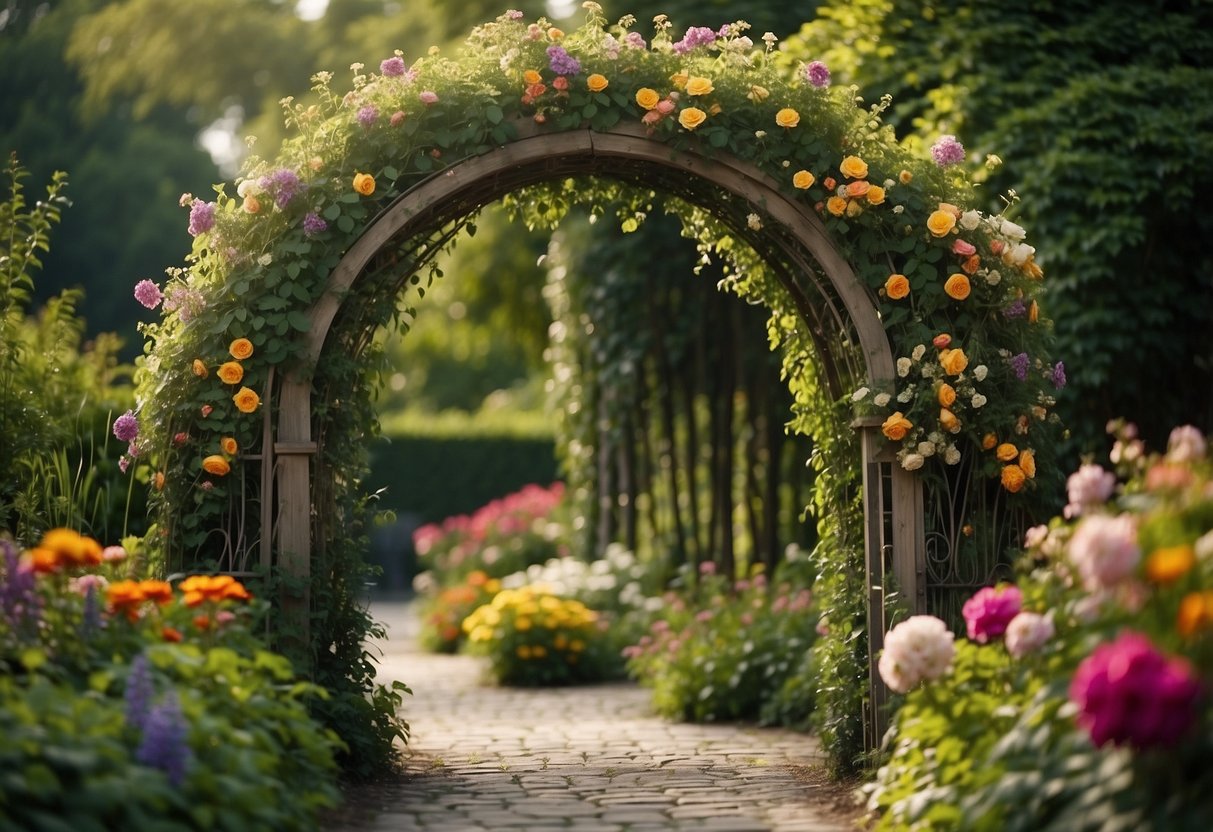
(892, 497)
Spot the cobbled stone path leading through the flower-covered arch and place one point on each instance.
(589, 760)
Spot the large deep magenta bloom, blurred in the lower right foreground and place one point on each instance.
(1131, 694)
